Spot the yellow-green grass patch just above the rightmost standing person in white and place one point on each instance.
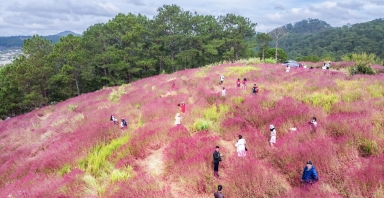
(321, 100)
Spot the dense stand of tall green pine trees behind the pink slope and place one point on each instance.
(126, 48)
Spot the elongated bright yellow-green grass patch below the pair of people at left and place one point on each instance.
(97, 159)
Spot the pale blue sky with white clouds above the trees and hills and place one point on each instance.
(46, 17)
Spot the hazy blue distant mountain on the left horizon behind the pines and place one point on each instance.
(8, 42)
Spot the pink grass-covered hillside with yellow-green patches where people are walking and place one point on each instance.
(71, 149)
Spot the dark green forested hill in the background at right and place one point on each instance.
(334, 42)
